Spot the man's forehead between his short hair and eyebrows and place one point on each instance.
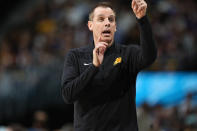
(104, 11)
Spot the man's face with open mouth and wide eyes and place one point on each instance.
(103, 25)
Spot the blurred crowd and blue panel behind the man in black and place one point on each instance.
(35, 35)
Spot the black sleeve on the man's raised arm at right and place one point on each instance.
(143, 55)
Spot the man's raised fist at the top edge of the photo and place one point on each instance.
(139, 8)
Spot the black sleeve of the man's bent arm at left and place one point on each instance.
(73, 83)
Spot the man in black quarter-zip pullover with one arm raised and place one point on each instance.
(100, 78)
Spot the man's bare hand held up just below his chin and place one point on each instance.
(98, 53)
